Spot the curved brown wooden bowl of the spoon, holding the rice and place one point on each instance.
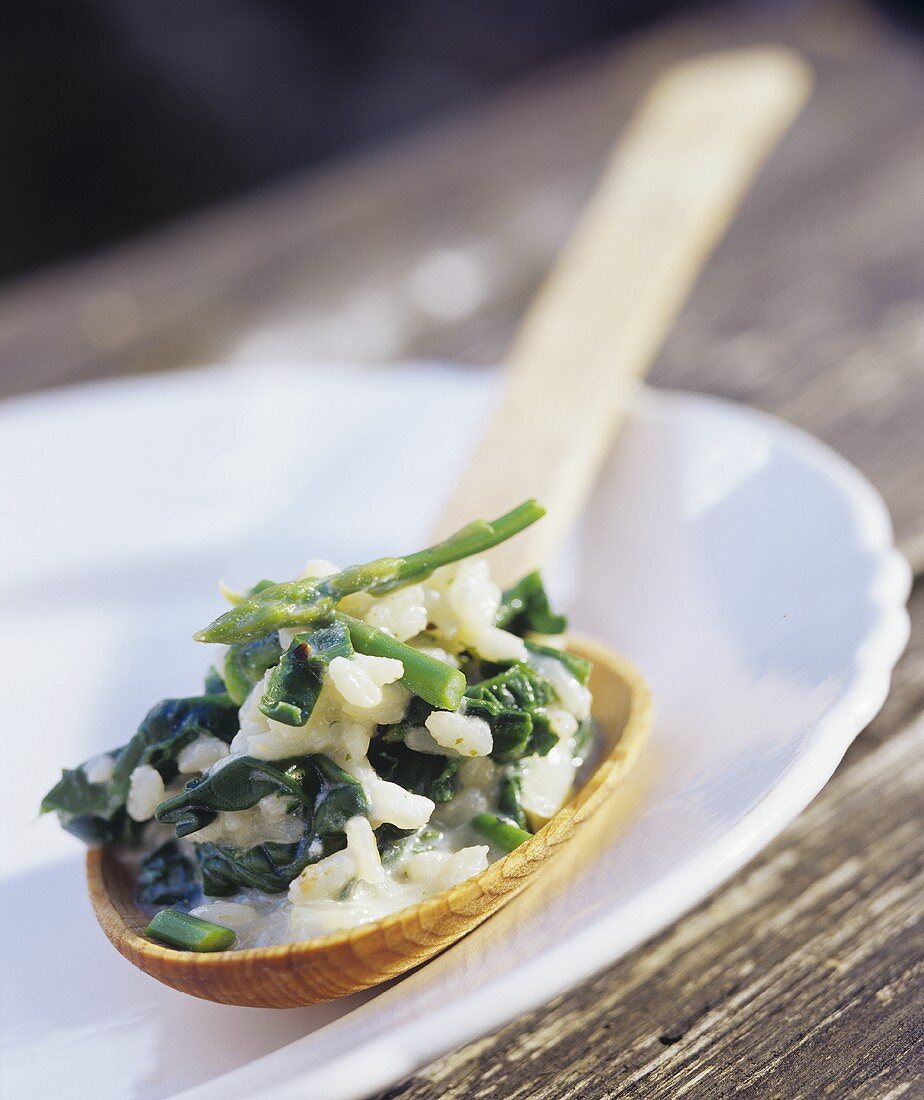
(332, 966)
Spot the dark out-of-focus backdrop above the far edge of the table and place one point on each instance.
(122, 115)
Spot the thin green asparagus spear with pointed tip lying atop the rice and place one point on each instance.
(305, 603)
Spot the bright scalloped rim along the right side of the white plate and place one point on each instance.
(383, 1061)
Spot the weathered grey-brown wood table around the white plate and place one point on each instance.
(802, 977)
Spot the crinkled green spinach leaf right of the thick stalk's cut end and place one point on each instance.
(512, 703)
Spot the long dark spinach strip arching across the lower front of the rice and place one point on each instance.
(324, 795)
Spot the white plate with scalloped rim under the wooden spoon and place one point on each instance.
(745, 567)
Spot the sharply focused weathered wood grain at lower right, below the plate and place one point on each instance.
(800, 980)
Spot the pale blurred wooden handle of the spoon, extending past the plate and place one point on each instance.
(670, 190)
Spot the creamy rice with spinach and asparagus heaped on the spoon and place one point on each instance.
(368, 739)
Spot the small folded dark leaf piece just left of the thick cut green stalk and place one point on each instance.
(295, 684)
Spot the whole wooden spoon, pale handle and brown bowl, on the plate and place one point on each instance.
(667, 195)
